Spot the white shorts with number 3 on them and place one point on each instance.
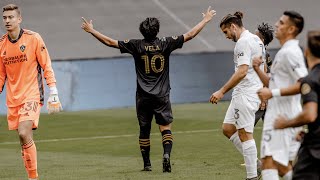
(241, 113)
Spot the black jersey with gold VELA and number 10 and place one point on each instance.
(152, 62)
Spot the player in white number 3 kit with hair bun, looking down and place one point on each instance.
(239, 121)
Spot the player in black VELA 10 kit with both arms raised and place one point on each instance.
(151, 57)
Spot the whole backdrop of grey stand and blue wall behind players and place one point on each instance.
(92, 76)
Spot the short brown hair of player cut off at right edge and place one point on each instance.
(314, 43)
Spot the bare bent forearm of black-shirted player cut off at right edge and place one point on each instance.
(308, 115)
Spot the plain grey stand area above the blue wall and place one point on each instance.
(59, 21)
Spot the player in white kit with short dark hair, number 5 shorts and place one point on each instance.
(278, 147)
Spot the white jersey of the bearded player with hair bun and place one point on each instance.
(247, 47)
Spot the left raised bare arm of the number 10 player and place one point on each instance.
(88, 27)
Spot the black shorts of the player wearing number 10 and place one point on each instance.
(160, 107)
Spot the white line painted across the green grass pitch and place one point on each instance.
(113, 137)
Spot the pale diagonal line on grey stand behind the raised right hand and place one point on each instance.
(178, 20)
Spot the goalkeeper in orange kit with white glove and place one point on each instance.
(23, 56)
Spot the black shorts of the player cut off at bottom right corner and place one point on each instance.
(307, 166)
